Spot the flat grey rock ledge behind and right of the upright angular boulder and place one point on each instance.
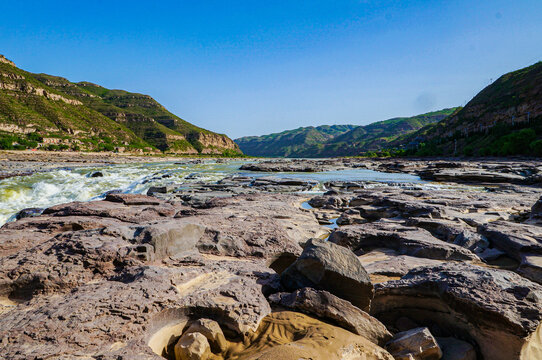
(406, 240)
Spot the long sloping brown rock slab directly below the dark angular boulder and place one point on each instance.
(326, 306)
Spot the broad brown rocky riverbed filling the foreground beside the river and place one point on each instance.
(261, 267)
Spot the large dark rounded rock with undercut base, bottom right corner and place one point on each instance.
(496, 310)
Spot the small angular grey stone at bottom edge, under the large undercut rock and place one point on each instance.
(417, 344)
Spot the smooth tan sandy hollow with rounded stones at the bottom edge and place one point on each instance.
(281, 334)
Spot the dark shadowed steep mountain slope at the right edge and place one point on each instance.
(505, 118)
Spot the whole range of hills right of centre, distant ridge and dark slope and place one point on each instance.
(503, 119)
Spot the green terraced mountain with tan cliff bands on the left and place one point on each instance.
(59, 114)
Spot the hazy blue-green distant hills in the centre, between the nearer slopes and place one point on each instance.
(336, 140)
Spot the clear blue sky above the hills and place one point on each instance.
(255, 67)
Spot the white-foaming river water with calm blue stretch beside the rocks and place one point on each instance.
(43, 190)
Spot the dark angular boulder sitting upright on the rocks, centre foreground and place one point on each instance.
(327, 266)
